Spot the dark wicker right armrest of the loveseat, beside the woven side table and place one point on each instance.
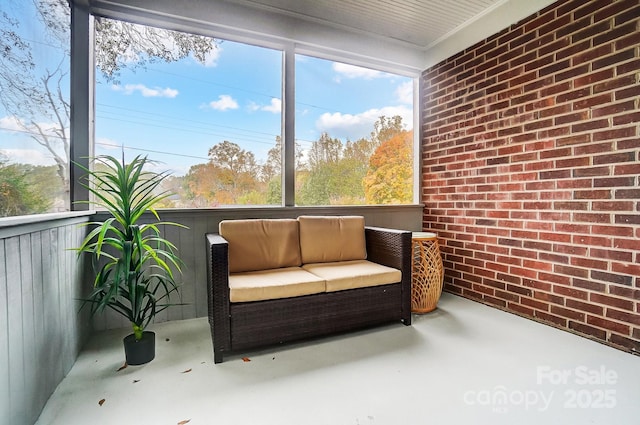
(392, 248)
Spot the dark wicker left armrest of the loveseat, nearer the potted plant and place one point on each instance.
(218, 293)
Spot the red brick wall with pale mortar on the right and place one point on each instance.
(531, 164)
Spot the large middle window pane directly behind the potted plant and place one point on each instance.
(207, 110)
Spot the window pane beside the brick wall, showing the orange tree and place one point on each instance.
(354, 135)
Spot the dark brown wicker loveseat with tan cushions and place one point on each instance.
(277, 280)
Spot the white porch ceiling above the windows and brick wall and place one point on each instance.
(405, 36)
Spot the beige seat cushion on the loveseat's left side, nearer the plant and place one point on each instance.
(273, 284)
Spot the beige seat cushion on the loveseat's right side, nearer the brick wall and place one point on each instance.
(354, 274)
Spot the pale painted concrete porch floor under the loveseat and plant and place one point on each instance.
(463, 363)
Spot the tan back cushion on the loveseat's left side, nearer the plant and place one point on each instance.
(261, 244)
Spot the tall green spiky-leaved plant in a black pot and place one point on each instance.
(134, 265)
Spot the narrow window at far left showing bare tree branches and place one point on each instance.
(34, 107)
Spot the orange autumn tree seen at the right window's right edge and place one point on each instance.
(390, 176)
